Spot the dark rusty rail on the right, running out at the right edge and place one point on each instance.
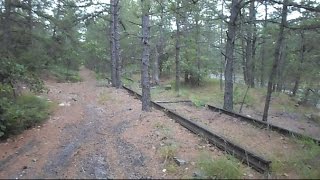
(261, 124)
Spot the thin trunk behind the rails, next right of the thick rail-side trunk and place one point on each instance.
(177, 57)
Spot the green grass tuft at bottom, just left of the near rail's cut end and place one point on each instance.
(225, 167)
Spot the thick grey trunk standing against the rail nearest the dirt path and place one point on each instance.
(145, 83)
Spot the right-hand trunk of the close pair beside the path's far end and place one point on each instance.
(117, 43)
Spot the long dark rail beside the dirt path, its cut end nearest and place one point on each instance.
(245, 156)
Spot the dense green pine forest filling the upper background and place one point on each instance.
(268, 45)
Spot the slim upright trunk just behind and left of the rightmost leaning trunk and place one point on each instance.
(263, 48)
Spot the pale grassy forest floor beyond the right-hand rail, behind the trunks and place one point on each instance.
(282, 113)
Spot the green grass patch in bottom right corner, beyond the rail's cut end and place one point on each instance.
(304, 162)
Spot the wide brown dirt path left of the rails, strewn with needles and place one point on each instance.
(101, 132)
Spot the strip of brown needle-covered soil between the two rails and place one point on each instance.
(266, 143)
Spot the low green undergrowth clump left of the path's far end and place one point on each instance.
(65, 75)
